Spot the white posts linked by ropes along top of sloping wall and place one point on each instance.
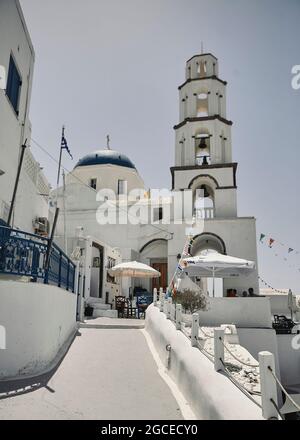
(266, 399)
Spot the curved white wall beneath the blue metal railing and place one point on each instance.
(39, 321)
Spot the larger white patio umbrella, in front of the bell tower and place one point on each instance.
(224, 266)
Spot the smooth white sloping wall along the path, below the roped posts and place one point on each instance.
(211, 395)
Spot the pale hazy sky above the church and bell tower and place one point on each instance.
(114, 67)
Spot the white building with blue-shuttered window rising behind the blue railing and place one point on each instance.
(17, 64)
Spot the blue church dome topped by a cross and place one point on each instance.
(103, 157)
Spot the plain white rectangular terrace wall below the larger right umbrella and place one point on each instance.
(243, 312)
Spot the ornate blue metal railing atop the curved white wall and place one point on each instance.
(24, 254)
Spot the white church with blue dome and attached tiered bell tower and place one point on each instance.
(203, 161)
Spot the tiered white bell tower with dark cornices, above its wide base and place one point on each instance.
(203, 137)
